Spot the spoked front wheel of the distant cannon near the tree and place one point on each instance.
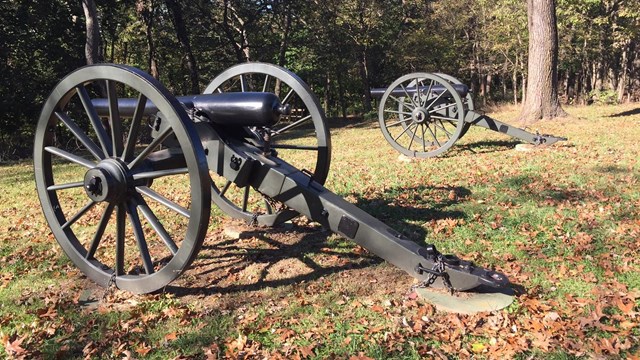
(421, 115)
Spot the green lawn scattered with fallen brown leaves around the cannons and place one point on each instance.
(562, 222)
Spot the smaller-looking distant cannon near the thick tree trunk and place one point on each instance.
(423, 114)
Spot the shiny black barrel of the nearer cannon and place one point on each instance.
(229, 109)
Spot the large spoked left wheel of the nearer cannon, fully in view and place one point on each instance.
(126, 209)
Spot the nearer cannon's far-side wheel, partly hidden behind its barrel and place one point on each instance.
(300, 138)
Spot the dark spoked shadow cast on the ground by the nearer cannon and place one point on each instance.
(260, 252)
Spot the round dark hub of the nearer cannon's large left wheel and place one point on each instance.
(108, 181)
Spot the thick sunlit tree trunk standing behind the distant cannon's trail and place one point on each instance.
(542, 88)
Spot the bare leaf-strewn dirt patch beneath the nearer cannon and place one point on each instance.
(241, 265)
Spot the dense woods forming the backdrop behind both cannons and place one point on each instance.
(341, 48)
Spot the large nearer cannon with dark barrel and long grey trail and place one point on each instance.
(126, 174)
